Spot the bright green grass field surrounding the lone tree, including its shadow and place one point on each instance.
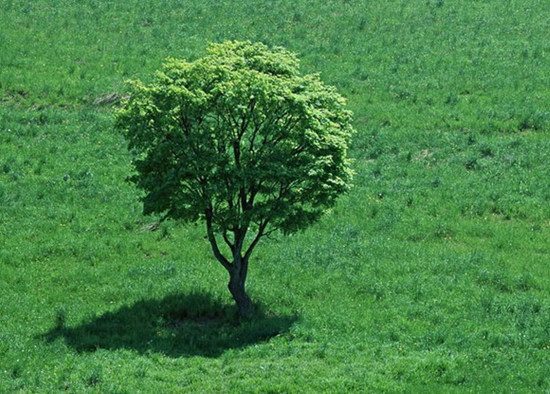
(431, 275)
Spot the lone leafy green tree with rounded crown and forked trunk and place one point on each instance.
(241, 140)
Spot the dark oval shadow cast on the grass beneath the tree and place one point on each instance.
(177, 325)
